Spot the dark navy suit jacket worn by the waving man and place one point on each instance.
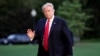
(60, 43)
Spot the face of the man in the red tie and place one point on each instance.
(48, 12)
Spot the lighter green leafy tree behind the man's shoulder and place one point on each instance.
(75, 17)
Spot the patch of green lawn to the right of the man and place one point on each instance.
(87, 49)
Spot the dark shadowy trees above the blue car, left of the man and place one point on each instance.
(15, 16)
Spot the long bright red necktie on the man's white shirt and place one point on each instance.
(45, 36)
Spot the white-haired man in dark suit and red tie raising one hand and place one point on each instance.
(52, 33)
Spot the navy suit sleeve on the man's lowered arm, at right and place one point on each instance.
(67, 39)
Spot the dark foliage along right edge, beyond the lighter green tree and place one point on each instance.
(92, 7)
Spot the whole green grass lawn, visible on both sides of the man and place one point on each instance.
(80, 49)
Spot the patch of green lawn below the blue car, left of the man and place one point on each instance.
(18, 50)
